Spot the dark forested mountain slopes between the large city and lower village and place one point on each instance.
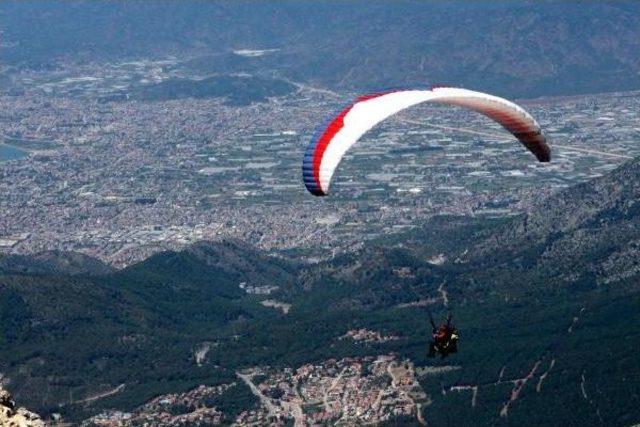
(554, 291)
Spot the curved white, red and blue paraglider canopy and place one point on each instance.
(329, 145)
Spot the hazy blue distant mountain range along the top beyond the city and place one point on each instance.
(521, 49)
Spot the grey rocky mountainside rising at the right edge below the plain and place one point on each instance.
(593, 227)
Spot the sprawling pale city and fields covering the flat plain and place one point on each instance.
(122, 179)
